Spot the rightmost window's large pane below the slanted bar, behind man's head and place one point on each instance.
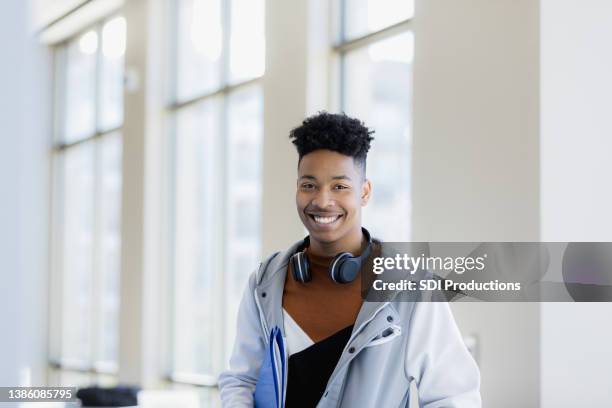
(378, 88)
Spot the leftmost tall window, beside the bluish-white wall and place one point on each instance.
(87, 205)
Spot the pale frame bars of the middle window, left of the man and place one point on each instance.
(172, 109)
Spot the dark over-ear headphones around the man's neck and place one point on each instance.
(343, 268)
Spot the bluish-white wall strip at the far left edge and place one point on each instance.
(24, 170)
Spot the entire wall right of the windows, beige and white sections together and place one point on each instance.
(485, 170)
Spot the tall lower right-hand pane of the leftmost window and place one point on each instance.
(110, 247)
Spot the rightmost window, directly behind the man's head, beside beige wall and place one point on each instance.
(375, 51)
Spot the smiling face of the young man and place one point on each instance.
(331, 190)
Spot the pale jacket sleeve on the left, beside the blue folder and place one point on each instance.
(237, 384)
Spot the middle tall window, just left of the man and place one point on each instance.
(216, 137)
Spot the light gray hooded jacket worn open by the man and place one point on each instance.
(392, 344)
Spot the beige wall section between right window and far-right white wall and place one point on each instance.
(476, 163)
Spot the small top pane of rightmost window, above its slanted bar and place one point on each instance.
(365, 16)
